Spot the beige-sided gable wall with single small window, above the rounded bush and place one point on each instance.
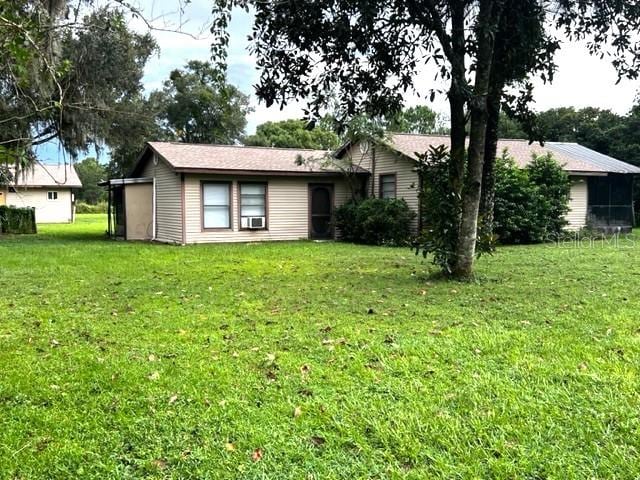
(388, 162)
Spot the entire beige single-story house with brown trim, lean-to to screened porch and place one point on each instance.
(187, 193)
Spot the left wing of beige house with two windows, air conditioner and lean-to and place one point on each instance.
(186, 193)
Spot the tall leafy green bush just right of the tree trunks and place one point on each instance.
(530, 203)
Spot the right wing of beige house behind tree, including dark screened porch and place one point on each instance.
(601, 186)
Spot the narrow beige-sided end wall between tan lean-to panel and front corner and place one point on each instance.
(168, 201)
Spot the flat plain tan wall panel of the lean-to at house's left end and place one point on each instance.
(138, 204)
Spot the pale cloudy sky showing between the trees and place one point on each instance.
(581, 80)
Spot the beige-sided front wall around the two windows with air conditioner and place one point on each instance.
(287, 208)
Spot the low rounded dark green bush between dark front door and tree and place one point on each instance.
(375, 221)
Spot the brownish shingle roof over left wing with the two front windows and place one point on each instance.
(202, 158)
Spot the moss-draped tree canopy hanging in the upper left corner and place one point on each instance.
(63, 78)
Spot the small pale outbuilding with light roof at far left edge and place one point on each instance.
(47, 188)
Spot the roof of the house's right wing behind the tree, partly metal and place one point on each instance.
(574, 157)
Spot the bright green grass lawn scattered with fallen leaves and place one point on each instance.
(310, 360)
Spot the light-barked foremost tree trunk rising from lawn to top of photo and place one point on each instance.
(468, 232)
